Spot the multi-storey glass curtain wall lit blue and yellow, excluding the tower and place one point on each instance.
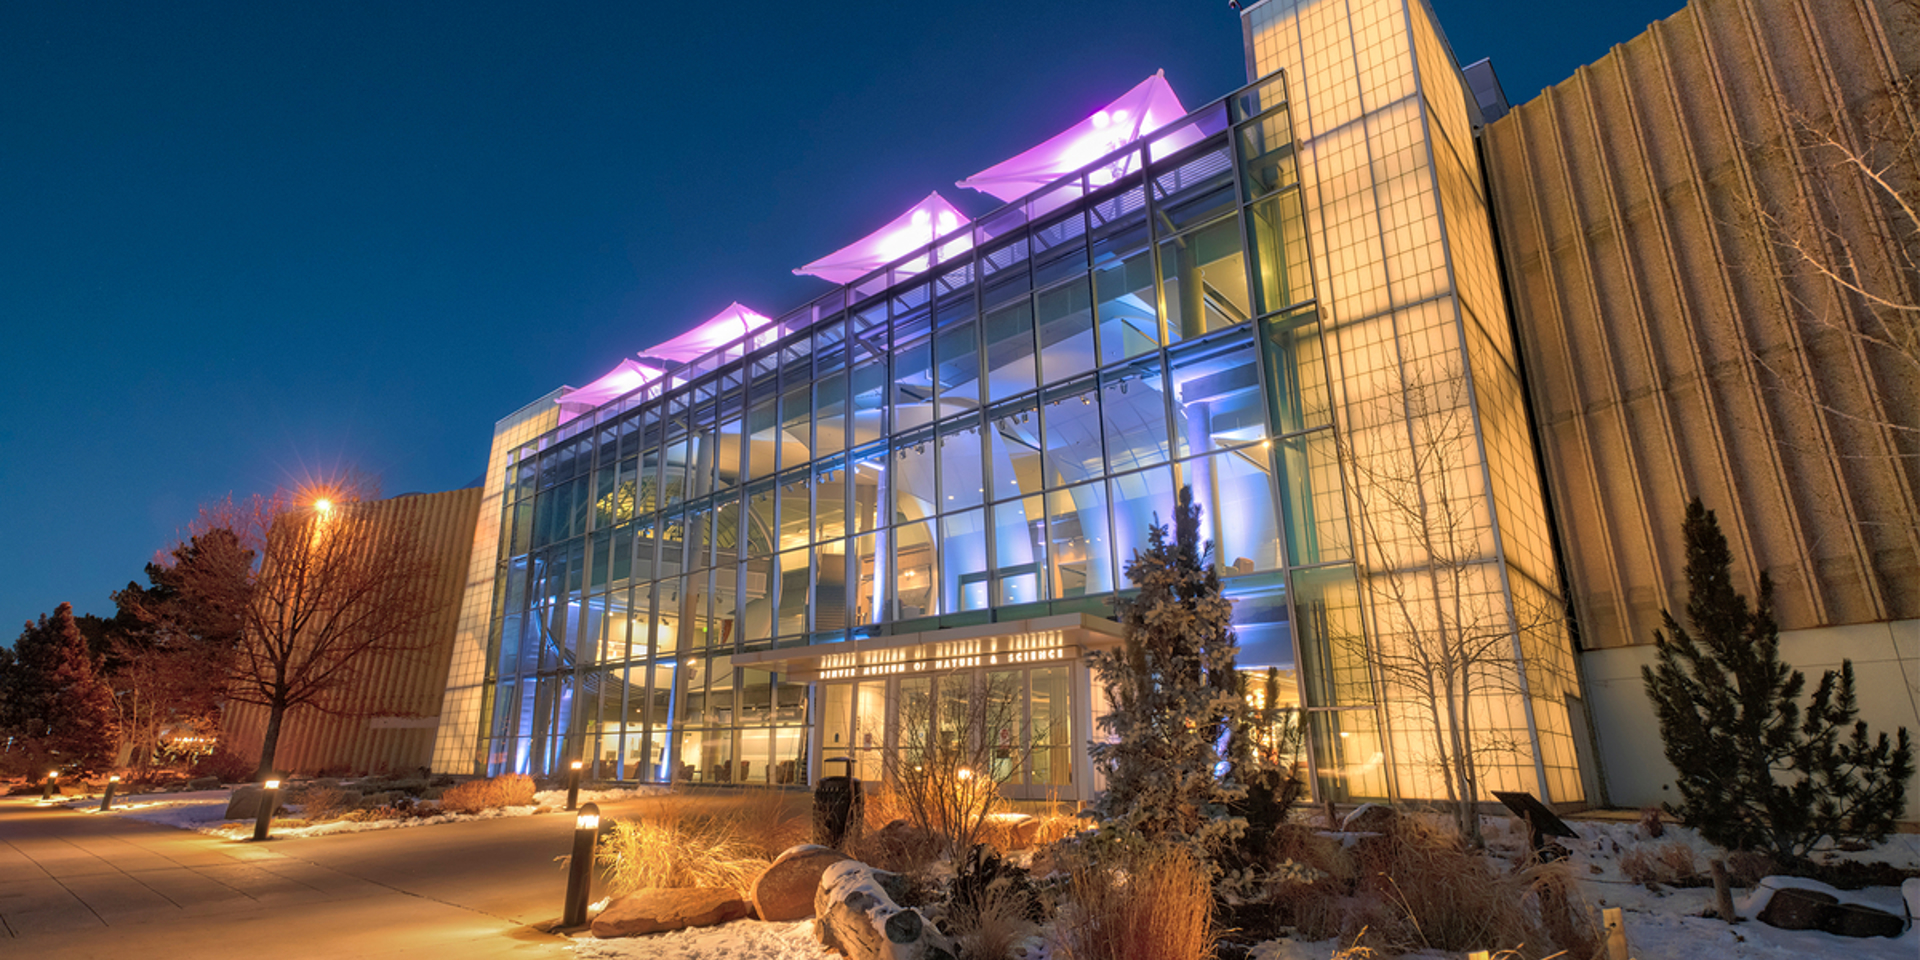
(972, 443)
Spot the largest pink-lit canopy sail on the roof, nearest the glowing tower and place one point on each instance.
(1134, 116)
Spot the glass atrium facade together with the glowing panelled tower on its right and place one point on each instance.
(930, 481)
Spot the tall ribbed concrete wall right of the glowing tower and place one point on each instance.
(1675, 352)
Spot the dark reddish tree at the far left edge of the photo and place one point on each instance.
(55, 698)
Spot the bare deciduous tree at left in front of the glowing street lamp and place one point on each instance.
(329, 592)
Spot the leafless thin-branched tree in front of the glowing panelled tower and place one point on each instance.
(1447, 631)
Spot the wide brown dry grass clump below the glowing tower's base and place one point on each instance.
(1422, 888)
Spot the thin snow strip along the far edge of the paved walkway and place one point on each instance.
(204, 811)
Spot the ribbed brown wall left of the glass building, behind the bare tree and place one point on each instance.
(393, 711)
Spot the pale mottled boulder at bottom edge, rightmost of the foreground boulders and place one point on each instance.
(857, 917)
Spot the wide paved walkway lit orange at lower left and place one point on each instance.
(78, 886)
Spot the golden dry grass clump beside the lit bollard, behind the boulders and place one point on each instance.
(686, 840)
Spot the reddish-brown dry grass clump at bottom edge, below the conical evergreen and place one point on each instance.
(1138, 905)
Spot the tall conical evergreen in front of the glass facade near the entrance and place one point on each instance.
(1174, 698)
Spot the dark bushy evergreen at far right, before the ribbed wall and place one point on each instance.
(1756, 773)
